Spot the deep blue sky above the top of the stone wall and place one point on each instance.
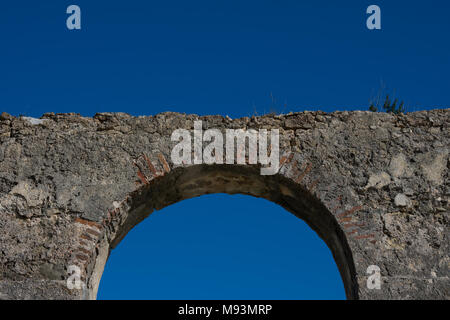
(220, 57)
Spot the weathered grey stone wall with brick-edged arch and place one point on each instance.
(374, 186)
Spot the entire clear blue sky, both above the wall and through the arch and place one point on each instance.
(229, 58)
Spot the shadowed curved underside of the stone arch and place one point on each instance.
(187, 182)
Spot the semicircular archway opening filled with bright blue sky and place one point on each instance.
(221, 247)
